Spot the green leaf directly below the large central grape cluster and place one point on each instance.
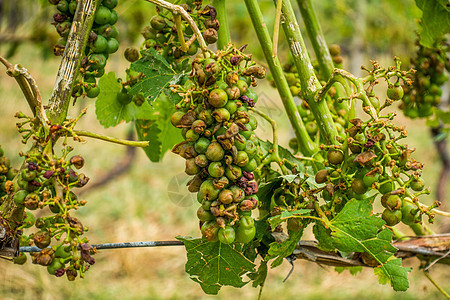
(214, 265)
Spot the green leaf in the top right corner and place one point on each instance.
(435, 21)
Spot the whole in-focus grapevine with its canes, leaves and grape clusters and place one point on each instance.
(187, 88)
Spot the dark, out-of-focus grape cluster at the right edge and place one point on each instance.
(426, 91)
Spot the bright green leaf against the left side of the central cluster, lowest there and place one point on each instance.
(157, 129)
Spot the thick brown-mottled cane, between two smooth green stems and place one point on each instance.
(308, 79)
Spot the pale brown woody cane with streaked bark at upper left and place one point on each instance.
(70, 64)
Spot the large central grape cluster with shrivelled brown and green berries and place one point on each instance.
(220, 148)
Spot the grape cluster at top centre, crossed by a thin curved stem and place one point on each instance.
(162, 32)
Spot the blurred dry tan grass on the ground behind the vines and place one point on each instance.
(137, 208)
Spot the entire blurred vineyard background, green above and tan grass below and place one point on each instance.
(141, 205)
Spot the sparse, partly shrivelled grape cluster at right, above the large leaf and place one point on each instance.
(368, 162)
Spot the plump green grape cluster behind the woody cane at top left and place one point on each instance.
(102, 42)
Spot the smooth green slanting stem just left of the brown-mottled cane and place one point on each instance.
(306, 145)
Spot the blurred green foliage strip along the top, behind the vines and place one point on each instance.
(371, 26)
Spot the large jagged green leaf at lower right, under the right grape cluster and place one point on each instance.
(356, 229)
